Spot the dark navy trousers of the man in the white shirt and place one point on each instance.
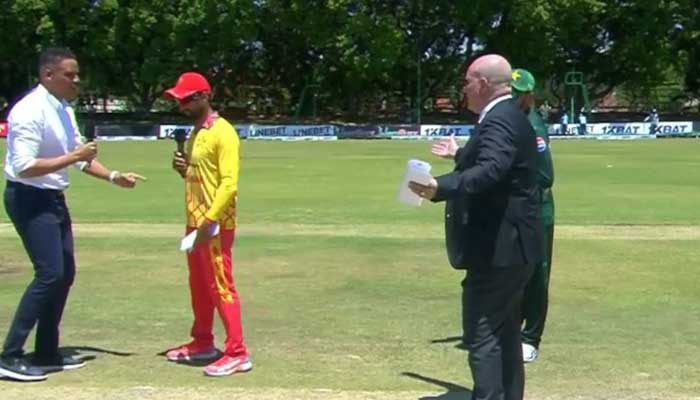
(43, 223)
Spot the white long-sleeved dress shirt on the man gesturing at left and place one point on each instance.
(40, 126)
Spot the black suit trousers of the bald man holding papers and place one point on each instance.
(491, 304)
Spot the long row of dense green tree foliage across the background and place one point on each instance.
(349, 54)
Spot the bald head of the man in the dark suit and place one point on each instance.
(487, 78)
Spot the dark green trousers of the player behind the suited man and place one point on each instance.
(536, 296)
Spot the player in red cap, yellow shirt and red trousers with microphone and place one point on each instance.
(210, 169)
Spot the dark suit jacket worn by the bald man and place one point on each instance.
(492, 211)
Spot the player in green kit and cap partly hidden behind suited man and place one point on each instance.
(536, 292)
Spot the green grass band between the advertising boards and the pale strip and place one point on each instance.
(649, 182)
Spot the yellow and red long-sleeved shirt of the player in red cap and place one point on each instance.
(212, 175)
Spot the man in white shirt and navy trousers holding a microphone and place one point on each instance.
(42, 142)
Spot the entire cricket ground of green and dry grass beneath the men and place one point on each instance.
(347, 294)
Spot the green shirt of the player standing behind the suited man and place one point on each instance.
(545, 168)
